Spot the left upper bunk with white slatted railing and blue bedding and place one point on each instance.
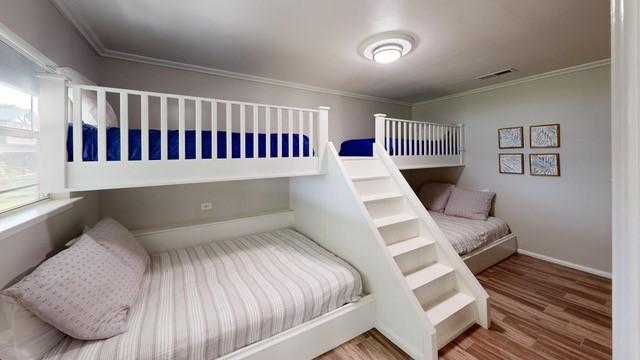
(168, 138)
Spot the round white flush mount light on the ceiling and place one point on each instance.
(387, 47)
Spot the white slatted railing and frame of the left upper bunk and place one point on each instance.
(59, 175)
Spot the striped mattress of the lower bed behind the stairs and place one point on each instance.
(467, 235)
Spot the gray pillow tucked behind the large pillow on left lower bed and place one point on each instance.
(121, 243)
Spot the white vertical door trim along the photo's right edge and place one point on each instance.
(625, 161)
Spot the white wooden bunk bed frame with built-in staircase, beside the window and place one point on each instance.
(416, 289)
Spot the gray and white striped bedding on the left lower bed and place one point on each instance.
(209, 300)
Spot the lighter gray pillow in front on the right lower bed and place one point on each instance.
(469, 204)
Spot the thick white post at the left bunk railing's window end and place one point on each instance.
(52, 151)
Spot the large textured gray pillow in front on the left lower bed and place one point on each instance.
(83, 291)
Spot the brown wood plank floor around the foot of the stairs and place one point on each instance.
(538, 311)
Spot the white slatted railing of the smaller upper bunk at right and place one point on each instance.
(415, 137)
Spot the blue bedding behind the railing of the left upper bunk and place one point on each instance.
(90, 144)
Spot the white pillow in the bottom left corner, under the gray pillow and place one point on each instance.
(22, 334)
